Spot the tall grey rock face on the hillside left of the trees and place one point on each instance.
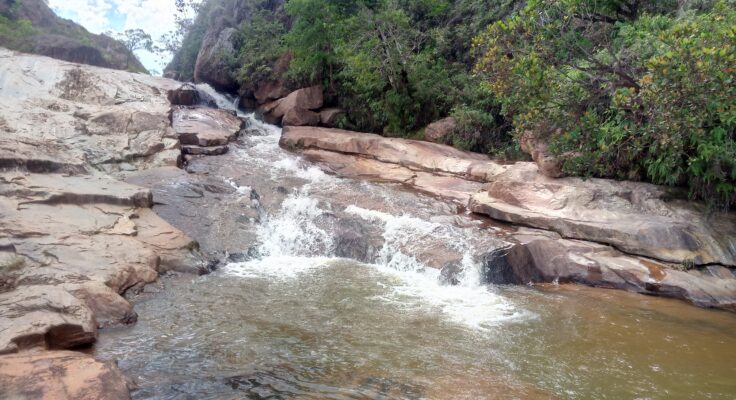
(210, 67)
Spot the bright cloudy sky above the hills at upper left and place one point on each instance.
(156, 17)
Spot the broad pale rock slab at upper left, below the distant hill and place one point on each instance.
(67, 118)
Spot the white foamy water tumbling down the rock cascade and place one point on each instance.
(299, 240)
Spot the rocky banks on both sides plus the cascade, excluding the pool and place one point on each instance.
(106, 185)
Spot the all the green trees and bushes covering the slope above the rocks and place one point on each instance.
(626, 89)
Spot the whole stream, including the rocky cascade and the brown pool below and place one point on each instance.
(293, 315)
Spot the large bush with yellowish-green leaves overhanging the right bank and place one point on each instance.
(638, 90)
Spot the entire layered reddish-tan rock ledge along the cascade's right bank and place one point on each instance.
(624, 235)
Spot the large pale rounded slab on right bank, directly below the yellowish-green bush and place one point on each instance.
(636, 218)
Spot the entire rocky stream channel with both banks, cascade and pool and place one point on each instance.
(341, 265)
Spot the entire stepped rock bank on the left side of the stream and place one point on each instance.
(74, 237)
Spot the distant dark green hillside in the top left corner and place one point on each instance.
(31, 26)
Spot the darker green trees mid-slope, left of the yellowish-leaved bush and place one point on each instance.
(393, 65)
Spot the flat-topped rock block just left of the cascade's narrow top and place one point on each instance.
(205, 127)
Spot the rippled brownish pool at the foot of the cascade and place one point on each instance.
(342, 330)
